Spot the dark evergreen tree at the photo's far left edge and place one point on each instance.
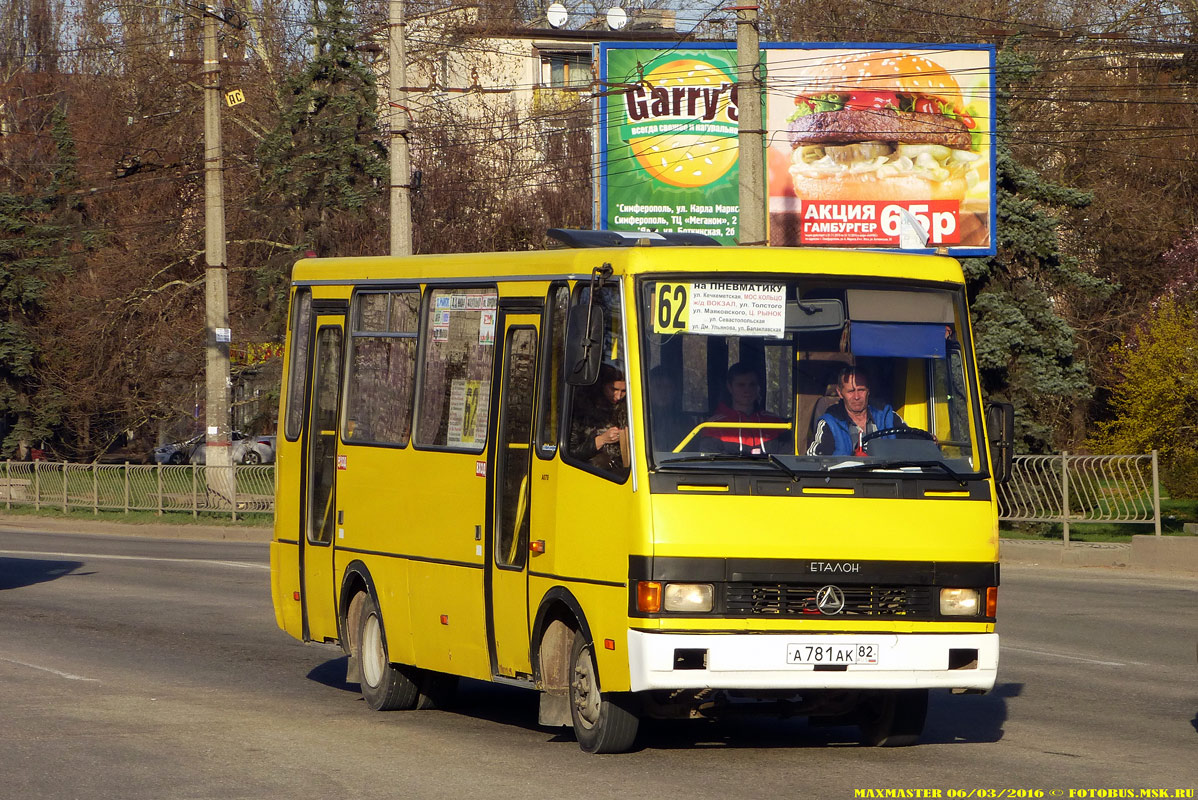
(39, 231)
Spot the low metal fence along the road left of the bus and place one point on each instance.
(238, 492)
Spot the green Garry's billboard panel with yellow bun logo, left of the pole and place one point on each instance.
(670, 142)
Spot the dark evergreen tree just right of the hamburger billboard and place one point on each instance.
(1027, 351)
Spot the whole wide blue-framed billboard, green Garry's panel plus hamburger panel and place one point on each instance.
(870, 147)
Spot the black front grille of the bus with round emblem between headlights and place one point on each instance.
(797, 599)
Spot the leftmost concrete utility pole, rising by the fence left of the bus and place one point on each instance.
(216, 276)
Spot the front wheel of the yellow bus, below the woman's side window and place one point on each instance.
(604, 723)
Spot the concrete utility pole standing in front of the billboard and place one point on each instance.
(752, 134)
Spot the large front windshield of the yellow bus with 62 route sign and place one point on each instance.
(818, 374)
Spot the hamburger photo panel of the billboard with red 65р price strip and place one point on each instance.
(857, 138)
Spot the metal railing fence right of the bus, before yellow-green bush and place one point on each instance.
(1070, 489)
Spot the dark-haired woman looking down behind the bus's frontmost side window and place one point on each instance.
(600, 423)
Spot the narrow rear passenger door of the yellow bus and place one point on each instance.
(319, 516)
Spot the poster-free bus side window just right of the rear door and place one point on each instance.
(383, 368)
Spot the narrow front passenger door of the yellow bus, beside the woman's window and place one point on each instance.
(507, 603)
